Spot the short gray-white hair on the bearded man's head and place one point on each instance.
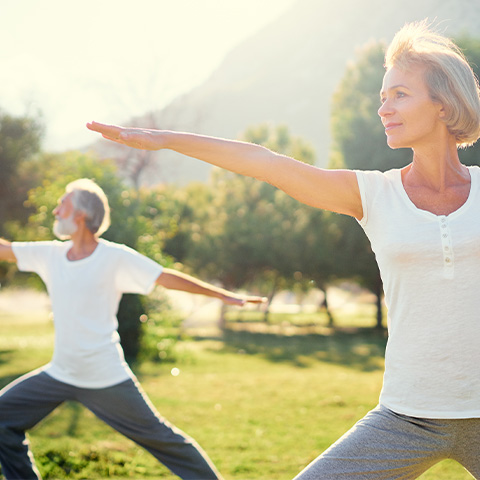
(90, 199)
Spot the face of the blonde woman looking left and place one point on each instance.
(410, 117)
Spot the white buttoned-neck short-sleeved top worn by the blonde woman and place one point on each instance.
(430, 267)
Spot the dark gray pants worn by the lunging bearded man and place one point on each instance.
(125, 407)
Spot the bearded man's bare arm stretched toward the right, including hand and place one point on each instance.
(174, 280)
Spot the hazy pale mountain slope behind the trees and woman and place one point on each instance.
(286, 74)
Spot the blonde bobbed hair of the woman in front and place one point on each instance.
(448, 75)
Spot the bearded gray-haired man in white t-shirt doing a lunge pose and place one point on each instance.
(85, 278)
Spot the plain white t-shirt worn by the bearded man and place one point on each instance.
(85, 295)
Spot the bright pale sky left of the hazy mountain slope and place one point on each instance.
(109, 60)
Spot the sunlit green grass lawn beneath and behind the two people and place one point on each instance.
(262, 404)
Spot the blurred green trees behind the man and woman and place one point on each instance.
(235, 230)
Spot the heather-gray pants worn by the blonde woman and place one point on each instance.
(385, 446)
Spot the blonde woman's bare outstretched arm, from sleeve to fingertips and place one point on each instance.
(335, 190)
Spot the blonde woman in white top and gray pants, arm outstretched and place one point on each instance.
(423, 222)
